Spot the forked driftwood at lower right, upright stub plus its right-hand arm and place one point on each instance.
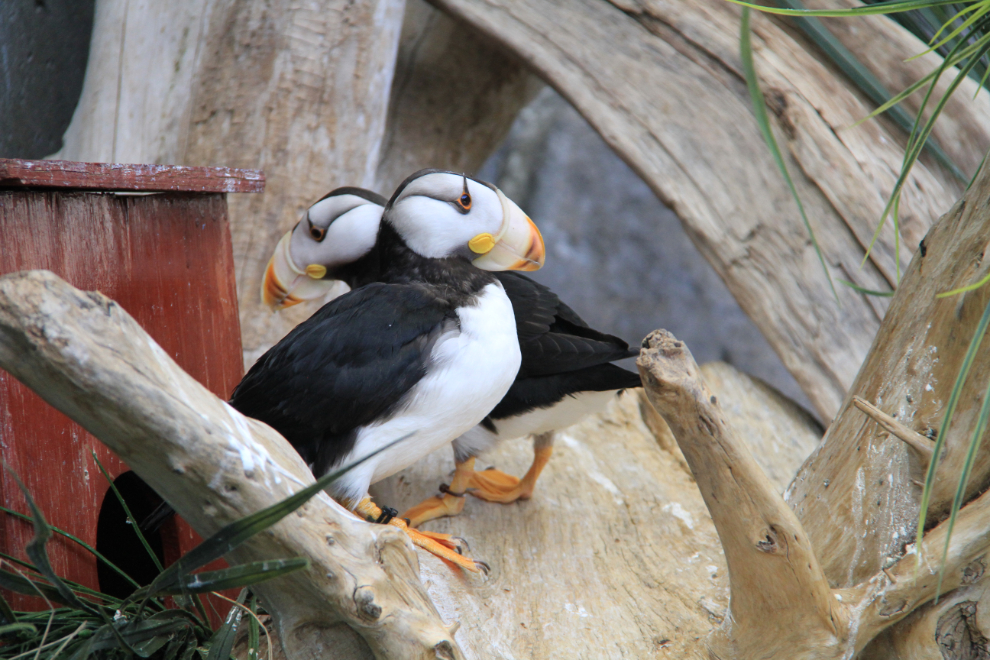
(781, 604)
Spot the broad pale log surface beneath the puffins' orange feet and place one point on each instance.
(615, 556)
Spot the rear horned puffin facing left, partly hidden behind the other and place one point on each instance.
(566, 371)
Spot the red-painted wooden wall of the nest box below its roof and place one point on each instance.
(167, 259)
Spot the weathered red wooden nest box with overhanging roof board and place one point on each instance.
(156, 239)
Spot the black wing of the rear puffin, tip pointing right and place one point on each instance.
(552, 337)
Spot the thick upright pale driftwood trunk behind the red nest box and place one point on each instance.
(299, 90)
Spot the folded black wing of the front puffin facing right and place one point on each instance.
(349, 364)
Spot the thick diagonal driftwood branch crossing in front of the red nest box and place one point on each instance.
(87, 357)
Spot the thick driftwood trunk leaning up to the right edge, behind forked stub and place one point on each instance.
(861, 477)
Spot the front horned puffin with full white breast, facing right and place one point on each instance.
(428, 349)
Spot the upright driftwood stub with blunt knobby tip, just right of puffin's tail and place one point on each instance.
(781, 604)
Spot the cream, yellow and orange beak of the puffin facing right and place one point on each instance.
(518, 245)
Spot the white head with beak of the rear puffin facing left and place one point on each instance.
(334, 232)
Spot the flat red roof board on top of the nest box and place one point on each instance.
(116, 176)
